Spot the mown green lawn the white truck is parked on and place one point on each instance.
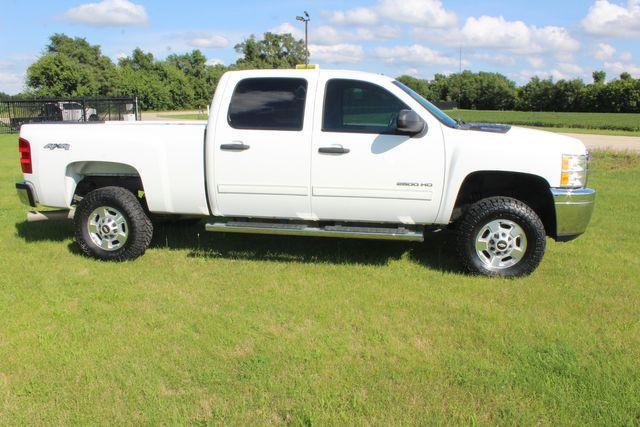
(210, 328)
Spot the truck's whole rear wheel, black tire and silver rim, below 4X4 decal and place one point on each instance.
(111, 225)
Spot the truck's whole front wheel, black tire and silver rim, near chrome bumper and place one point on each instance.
(501, 236)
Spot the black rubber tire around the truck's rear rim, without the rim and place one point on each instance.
(138, 224)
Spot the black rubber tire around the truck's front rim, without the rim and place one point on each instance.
(500, 208)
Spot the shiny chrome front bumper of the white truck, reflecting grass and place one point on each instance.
(573, 211)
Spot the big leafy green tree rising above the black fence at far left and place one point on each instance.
(72, 67)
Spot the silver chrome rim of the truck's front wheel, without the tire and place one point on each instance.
(501, 244)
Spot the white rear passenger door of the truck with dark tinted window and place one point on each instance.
(261, 147)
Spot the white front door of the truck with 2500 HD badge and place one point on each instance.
(362, 168)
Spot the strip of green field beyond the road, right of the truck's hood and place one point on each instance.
(620, 124)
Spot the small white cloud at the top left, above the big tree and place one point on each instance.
(109, 13)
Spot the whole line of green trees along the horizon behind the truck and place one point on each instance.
(72, 67)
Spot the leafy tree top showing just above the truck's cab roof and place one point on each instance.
(273, 51)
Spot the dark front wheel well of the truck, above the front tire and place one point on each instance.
(530, 189)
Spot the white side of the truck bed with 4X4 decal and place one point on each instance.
(168, 157)
